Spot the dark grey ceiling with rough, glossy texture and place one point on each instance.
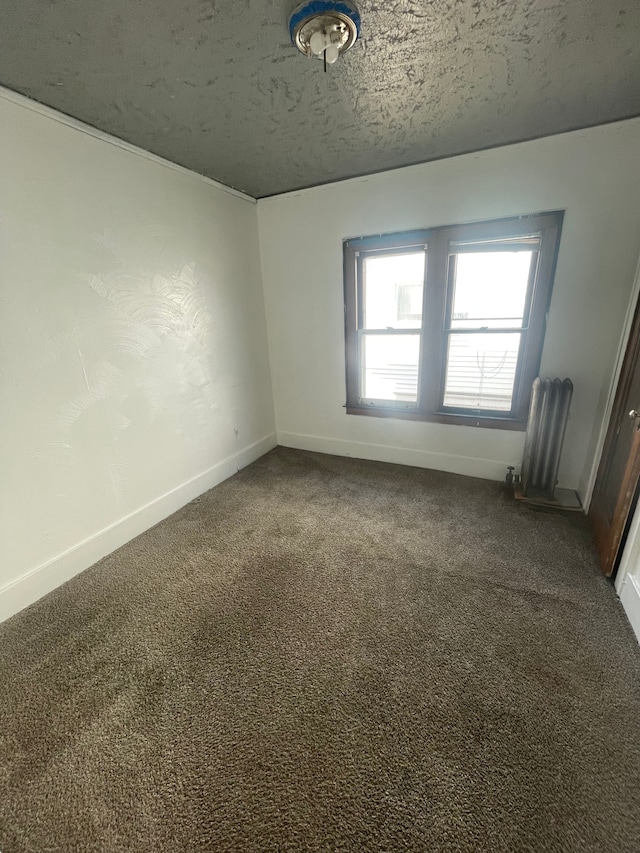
(217, 87)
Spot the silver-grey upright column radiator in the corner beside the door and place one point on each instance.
(548, 414)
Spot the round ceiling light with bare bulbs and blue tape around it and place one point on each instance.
(324, 28)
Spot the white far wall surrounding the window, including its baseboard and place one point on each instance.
(593, 174)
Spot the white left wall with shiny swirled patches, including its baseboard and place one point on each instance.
(133, 359)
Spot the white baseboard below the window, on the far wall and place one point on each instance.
(486, 469)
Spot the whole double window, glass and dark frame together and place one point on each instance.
(447, 324)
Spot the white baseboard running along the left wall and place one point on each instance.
(39, 581)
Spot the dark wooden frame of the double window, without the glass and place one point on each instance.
(435, 331)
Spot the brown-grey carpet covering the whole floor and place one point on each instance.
(325, 654)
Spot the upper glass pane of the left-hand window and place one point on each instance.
(392, 291)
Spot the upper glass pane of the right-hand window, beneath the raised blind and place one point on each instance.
(490, 290)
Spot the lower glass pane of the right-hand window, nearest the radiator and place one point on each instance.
(481, 370)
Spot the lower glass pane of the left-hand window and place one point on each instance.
(390, 367)
